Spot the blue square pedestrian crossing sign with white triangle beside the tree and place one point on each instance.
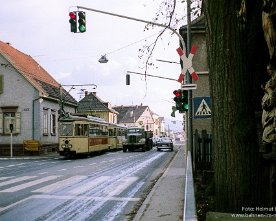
(202, 107)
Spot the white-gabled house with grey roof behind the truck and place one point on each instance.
(135, 116)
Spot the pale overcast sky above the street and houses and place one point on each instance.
(41, 29)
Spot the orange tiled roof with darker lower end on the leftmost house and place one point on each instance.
(33, 73)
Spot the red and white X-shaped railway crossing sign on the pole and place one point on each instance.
(187, 64)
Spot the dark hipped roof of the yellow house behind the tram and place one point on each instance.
(92, 103)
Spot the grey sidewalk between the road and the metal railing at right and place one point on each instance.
(166, 200)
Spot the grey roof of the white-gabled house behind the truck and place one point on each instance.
(130, 114)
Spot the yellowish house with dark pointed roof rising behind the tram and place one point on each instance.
(91, 104)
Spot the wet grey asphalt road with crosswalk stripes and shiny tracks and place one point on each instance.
(105, 187)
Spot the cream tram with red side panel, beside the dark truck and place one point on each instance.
(81, 134)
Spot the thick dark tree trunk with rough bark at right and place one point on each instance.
(233, 119)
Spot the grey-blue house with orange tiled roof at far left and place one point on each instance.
(29, 100)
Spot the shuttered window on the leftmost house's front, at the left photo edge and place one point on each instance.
(8, 118)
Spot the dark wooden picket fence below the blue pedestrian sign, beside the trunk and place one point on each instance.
(202, 151)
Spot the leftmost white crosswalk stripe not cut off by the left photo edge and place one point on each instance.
(60, 184)
